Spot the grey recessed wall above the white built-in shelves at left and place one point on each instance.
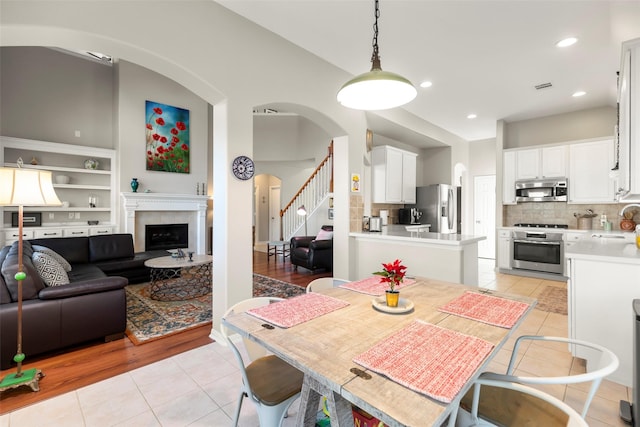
(48, 96)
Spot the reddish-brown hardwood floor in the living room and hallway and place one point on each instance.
(93, 362)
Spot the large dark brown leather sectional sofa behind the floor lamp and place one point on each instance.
(92, 306)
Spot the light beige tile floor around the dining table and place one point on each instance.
(199, 387)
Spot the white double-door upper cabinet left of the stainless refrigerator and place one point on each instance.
(393, 175)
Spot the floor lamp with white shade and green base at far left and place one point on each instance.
(24, 187)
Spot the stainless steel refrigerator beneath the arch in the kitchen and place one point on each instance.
(440, 206)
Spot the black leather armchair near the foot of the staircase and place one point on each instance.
(312, 254)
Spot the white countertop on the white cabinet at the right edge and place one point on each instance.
(606, 249)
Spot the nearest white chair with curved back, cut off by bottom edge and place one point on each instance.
(504, 403)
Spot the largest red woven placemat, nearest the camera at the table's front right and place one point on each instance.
(428, 359)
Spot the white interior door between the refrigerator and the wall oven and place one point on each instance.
(484, 214)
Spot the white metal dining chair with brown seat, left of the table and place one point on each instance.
(268, 381)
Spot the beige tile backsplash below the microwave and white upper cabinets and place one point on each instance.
(562, 213)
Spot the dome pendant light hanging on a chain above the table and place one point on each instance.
(377, 89)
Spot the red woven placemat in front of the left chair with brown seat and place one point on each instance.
(296, 310)
